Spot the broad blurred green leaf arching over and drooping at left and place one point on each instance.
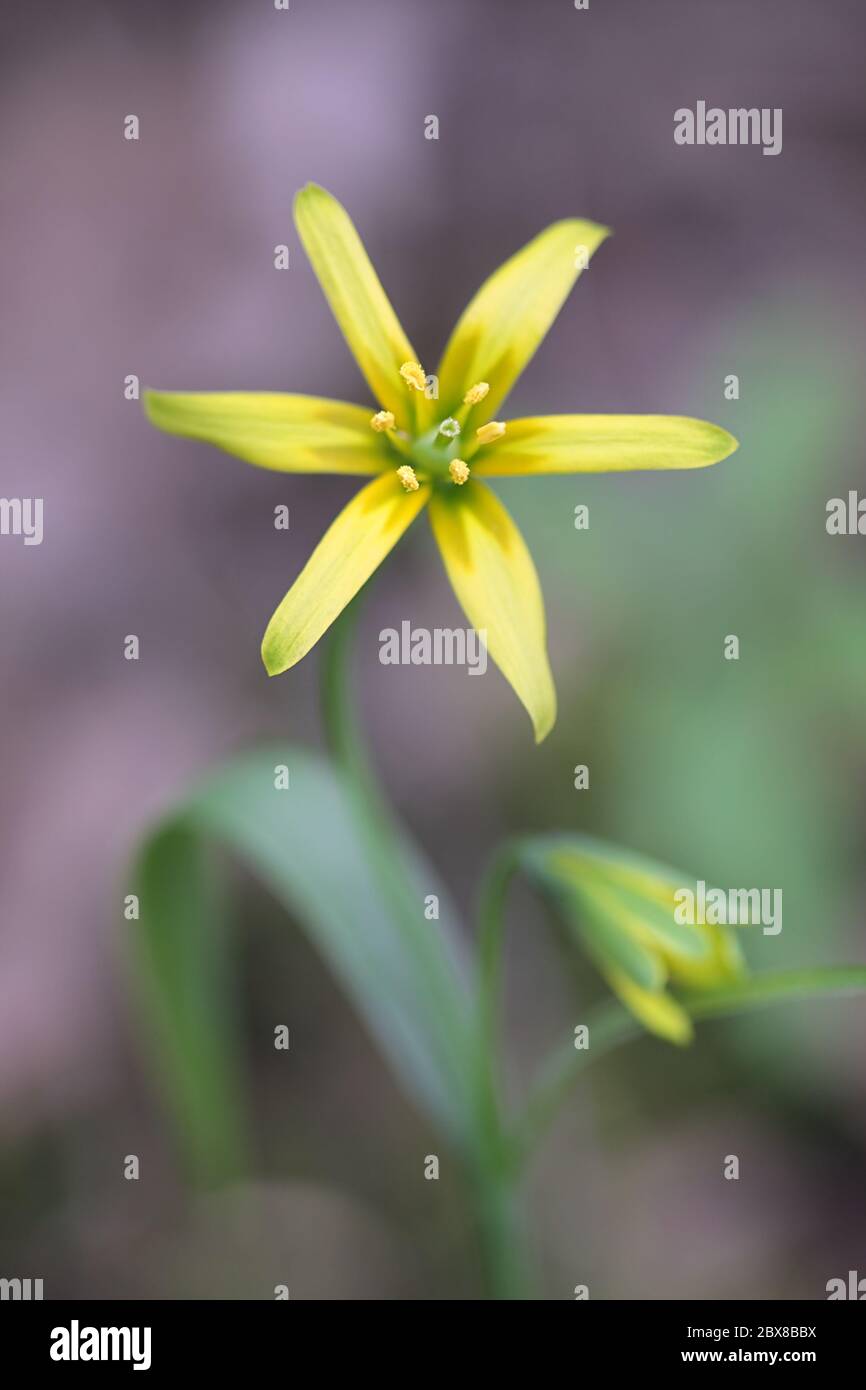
(305, 843)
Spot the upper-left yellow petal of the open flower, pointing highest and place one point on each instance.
(361, 305)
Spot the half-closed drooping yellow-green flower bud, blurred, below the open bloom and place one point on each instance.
(622, 910)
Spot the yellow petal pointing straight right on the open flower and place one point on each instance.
(604, 444)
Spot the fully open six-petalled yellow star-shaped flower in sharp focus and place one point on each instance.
(411, 444)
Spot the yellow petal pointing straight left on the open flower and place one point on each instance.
(293, 434)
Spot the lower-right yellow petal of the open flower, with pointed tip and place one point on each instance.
(497, 584)
